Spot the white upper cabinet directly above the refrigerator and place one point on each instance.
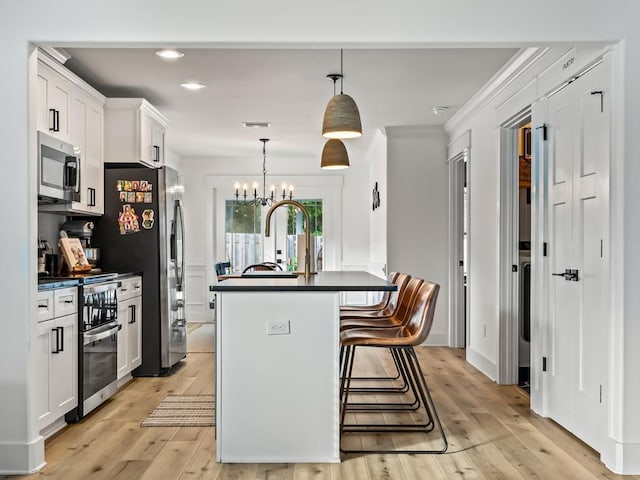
(134, 132)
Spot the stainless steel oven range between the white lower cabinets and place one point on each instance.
(97, 347)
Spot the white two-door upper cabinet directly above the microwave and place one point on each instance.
(54, 103)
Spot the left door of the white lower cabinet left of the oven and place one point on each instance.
(43, 348)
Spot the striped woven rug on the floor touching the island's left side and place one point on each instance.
(183, 411)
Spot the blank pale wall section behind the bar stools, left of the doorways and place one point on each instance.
(418, 213)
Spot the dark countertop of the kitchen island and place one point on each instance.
(320, 282)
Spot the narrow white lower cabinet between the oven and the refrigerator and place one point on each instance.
(130, 317)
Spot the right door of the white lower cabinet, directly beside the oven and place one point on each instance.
(64, 365)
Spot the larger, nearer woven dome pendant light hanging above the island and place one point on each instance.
(341, 117)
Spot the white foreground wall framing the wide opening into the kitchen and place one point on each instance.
(360, 23)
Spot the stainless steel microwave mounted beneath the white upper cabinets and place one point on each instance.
(58, 171)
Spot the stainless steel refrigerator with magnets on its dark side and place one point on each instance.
(142, 231)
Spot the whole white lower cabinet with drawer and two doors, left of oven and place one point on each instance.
(57, 357)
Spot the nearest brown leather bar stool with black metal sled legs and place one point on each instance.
(401, 339)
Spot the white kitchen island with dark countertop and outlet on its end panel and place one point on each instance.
(277, 366)
